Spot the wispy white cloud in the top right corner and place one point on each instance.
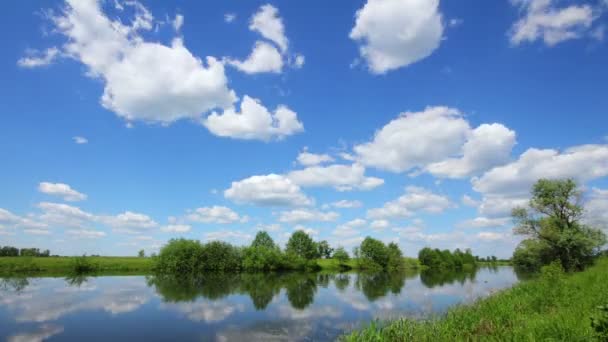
(543, 20)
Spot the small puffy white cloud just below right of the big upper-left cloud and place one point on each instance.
(254, 122)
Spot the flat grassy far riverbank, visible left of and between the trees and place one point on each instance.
(28, 265)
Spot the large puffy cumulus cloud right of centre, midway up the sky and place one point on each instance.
(438, 140)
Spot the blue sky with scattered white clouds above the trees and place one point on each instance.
(125, 124)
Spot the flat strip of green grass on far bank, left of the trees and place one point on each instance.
(51, 265)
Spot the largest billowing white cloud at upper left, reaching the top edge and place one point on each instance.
(143, 80)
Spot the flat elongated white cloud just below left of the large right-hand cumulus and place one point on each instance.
(341, 177)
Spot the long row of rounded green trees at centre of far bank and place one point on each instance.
(182, 256)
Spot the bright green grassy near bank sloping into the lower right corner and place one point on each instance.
(555, 307)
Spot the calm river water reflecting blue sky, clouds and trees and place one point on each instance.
(240, 307)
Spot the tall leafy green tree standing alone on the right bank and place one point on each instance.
(553, 220)
